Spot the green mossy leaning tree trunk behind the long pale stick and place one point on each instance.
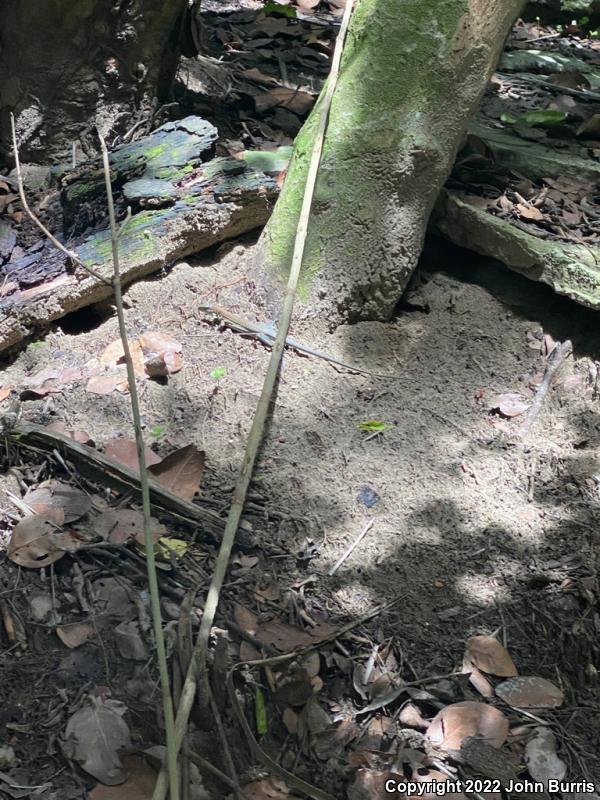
(412, 75)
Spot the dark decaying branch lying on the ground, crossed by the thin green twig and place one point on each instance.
(104, 470)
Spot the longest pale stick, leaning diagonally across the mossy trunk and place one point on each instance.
(197, 674)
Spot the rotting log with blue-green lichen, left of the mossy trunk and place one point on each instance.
(180, 205)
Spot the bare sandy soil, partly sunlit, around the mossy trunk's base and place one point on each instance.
(474, 530)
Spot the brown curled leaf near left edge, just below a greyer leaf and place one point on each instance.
(36, 543)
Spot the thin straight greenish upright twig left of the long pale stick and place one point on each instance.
(161, 656)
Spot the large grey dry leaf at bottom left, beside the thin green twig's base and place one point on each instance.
(94, 735)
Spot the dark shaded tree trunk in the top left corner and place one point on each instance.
(66, 67)
